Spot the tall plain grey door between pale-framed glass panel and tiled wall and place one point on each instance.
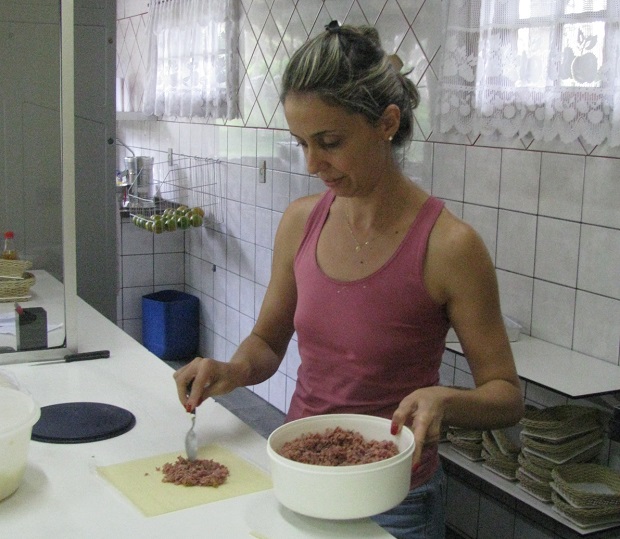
(95, 132)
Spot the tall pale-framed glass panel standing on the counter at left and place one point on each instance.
(37, 172)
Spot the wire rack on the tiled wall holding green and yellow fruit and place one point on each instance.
(191, 182)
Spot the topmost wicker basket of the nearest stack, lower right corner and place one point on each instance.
(588, 485)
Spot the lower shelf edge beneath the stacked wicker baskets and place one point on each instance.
(512, 489)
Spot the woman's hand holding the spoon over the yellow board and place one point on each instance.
(201, 378)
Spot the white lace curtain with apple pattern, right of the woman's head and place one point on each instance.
(543, 68)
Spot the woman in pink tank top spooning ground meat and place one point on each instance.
(371, 274)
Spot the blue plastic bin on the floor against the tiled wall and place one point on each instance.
(170, 324)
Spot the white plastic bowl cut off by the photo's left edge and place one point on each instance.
(18, 414)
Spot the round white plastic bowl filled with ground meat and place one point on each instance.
(341, 492)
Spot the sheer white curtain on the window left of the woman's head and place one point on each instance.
(192, 68)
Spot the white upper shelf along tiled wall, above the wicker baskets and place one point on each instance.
(562, 370)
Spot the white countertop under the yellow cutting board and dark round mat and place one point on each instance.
(62, 494)
